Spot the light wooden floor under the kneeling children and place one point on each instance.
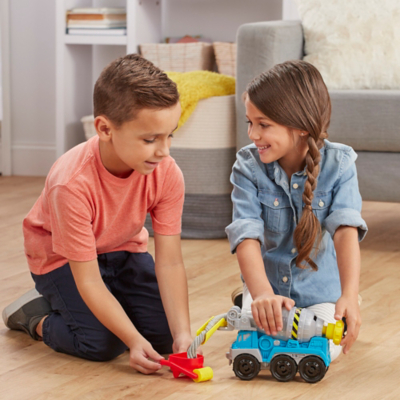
(30, 370)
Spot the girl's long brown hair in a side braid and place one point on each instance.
(294, 94)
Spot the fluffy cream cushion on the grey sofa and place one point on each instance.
(354, 44)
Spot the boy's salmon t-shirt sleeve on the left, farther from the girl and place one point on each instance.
(71, 225)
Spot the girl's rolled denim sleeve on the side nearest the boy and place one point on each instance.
(246, 219)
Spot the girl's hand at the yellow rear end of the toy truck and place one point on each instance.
(347, 306)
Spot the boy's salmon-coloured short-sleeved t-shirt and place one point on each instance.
(84, 210)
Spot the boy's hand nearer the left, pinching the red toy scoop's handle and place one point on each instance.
(140, 352)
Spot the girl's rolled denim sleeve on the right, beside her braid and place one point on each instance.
(346, 203)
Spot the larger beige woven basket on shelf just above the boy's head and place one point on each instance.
(180, 57)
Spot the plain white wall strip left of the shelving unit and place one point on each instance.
(32, 85)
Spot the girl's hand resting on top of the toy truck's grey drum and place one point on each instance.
(267, 312)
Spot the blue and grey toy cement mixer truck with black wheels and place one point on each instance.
(302, 345)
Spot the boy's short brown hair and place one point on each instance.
(129, 84)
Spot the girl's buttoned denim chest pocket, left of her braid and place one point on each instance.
(276, 211)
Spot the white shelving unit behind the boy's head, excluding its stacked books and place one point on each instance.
(80, 58)
